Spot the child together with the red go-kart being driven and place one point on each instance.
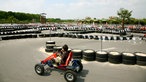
(62, 58)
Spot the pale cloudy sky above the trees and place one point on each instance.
(75, 9)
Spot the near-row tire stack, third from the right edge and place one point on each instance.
(115, 57)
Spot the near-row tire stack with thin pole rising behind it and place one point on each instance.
(101, 56)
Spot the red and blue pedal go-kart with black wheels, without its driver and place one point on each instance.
(71, 67)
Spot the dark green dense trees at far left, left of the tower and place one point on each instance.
(18, 17)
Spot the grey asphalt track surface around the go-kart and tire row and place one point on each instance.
(18, 57)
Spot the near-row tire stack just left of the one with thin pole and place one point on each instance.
(89, 55)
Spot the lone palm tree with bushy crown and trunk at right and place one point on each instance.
(124, 14)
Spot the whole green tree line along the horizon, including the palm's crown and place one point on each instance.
(19, 17)
